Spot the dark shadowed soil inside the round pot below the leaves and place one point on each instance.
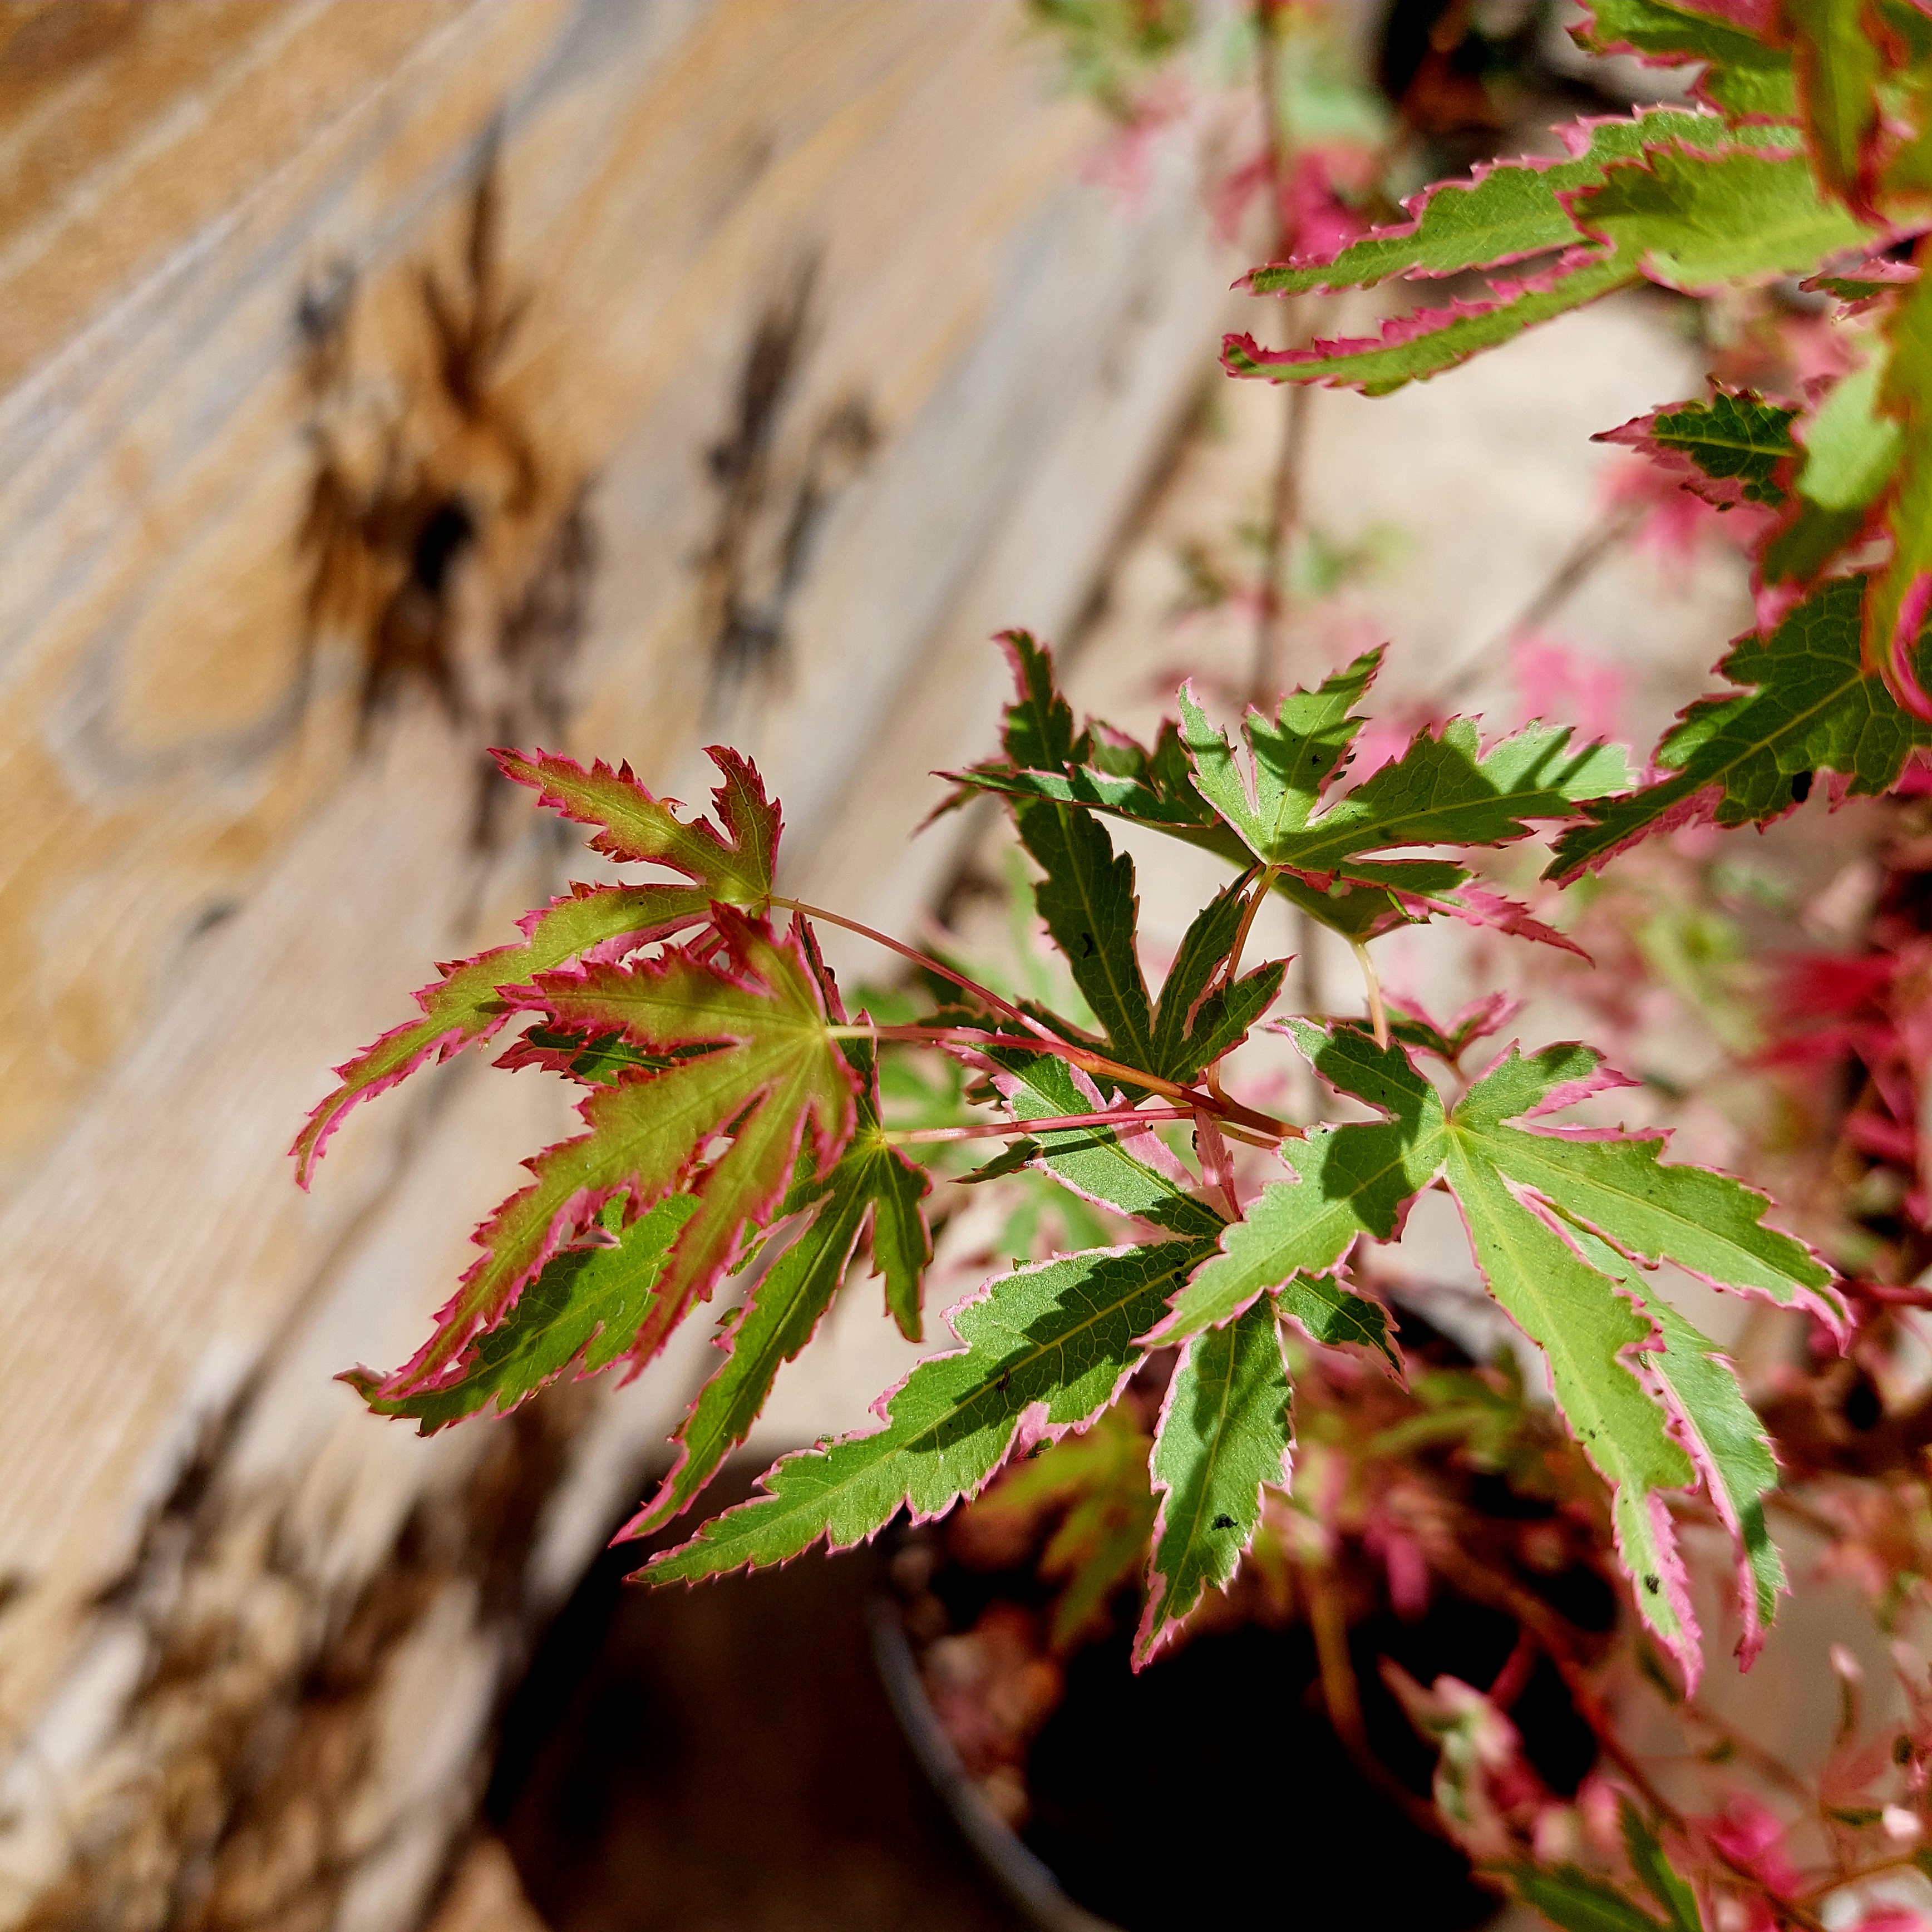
(1212, 1784)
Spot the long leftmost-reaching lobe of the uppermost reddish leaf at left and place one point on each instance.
(474, 998)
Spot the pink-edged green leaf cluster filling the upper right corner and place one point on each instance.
(1807, 152)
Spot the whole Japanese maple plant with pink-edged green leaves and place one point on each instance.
(733, 1122)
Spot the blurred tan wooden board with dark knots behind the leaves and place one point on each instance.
(384, 380)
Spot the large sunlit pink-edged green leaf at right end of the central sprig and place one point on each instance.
(1531, 1201)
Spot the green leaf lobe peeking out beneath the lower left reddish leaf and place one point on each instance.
(581, 1313)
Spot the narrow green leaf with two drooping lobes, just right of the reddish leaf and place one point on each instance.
(780, 1317)
